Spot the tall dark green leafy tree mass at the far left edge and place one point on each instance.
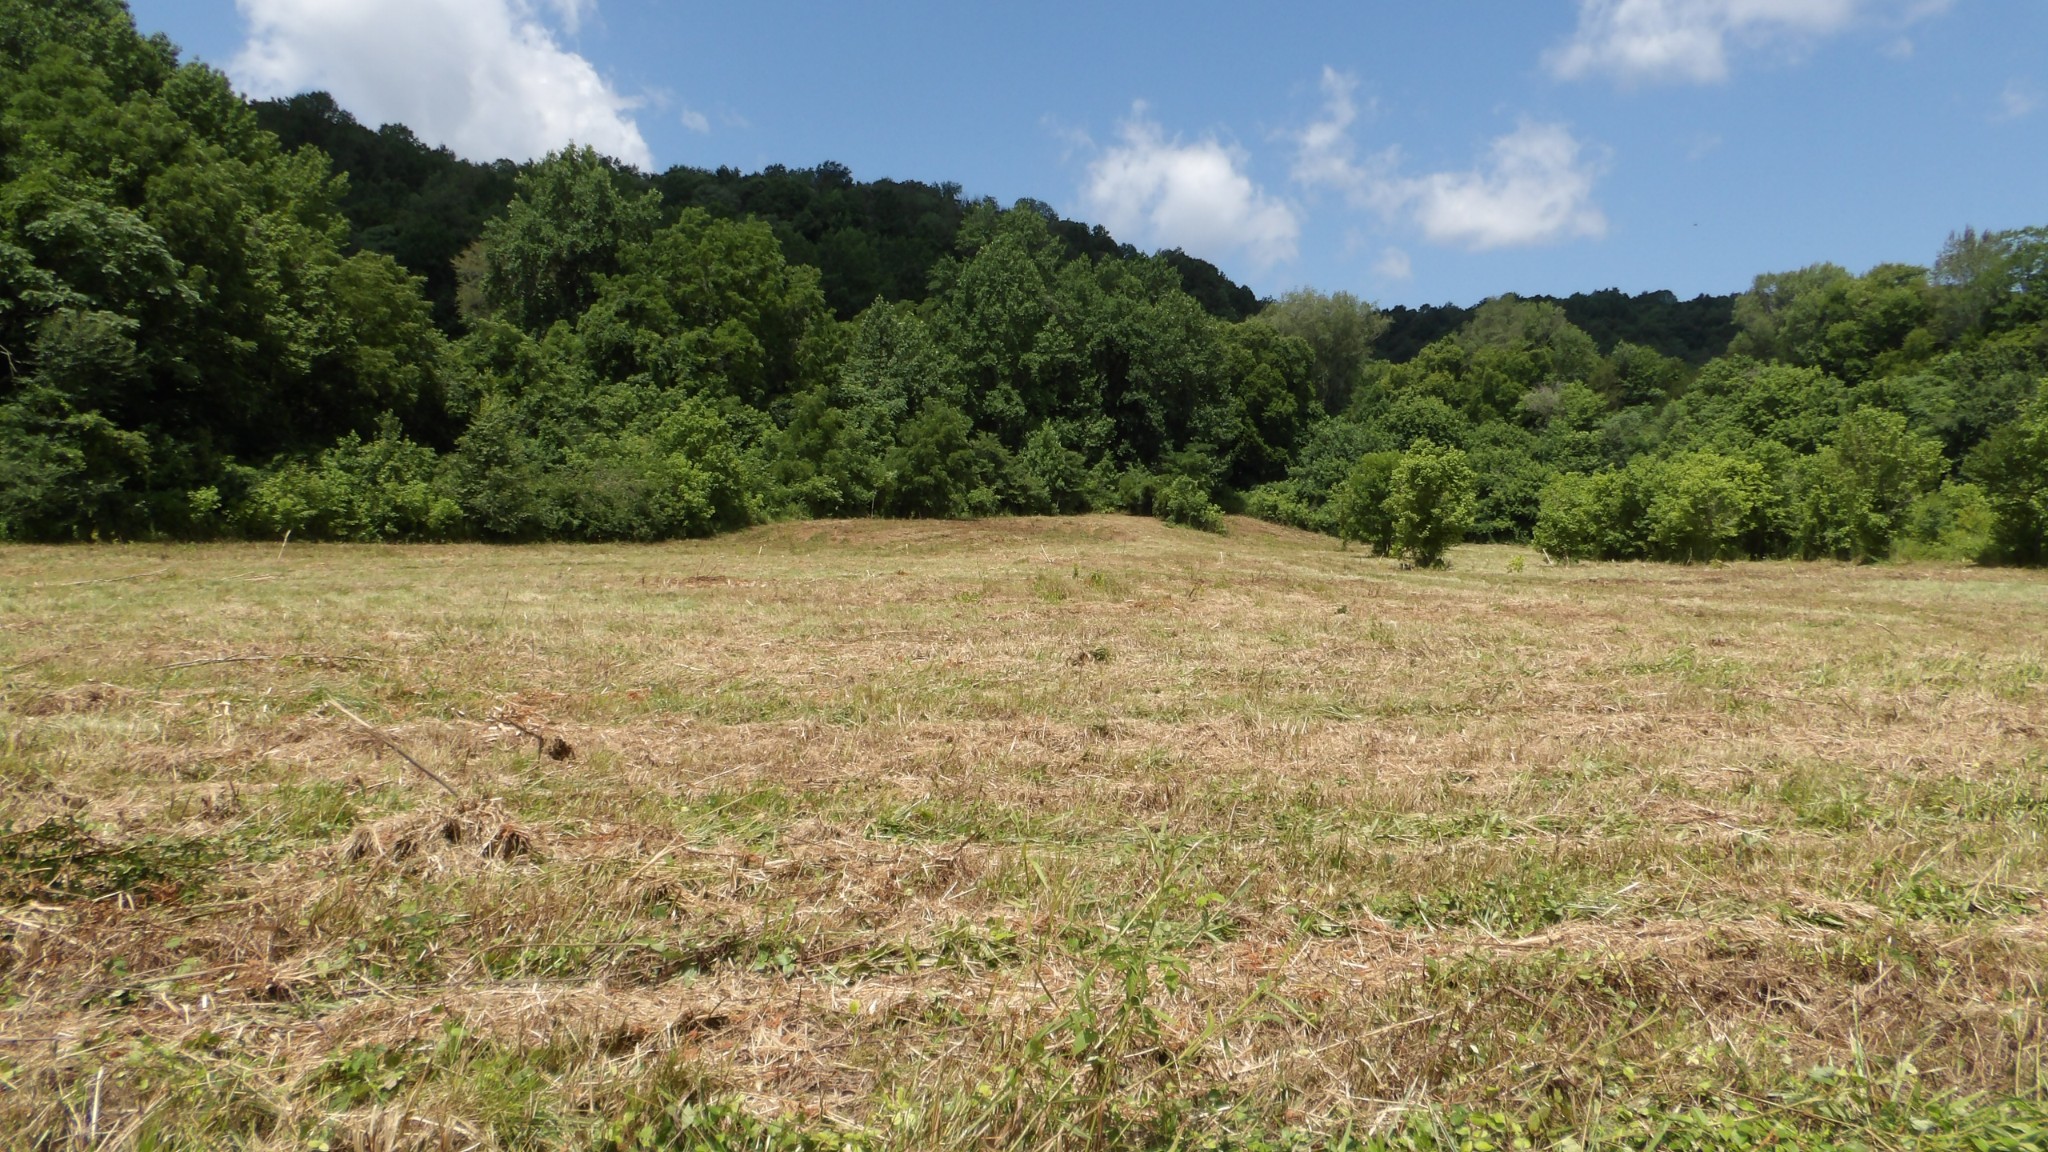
(175, 298)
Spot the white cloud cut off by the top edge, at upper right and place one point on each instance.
(1693, 40)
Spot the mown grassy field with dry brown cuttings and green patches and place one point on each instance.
(1017, 835)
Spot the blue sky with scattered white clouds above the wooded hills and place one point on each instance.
(1406, 153)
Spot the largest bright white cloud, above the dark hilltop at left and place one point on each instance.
(480, 77)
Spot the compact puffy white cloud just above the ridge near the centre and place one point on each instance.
(1189, 196)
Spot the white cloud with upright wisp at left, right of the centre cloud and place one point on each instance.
(1535, 188)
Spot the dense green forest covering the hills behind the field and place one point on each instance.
(222, 319)
